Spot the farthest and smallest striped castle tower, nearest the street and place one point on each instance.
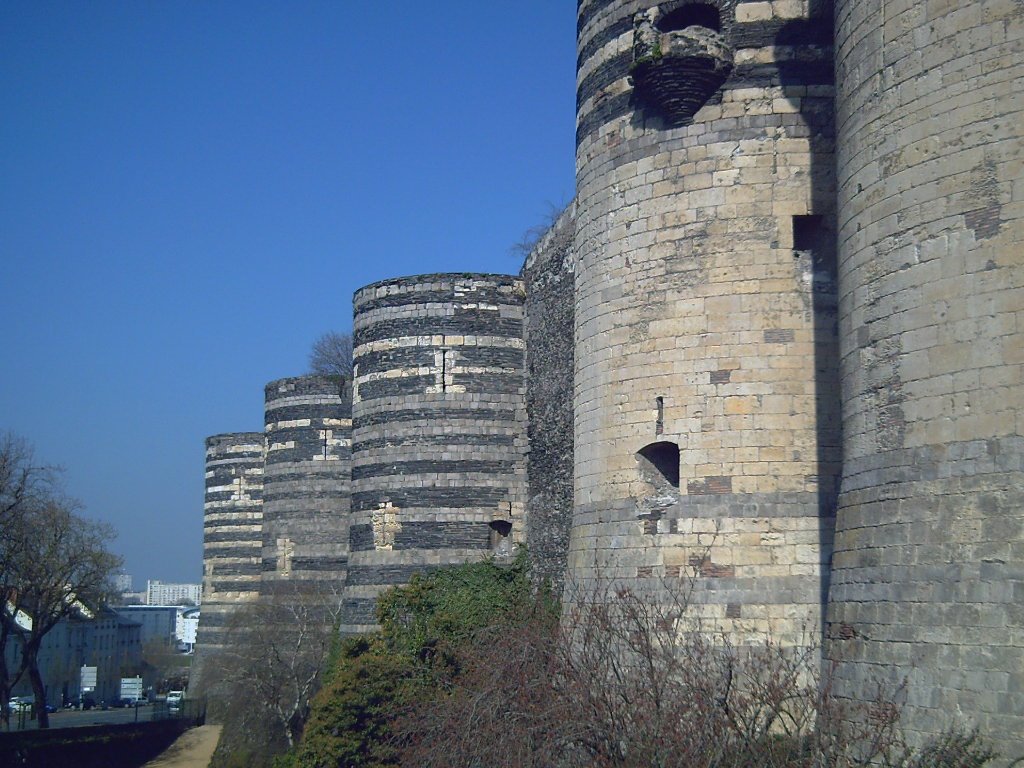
(232, 534)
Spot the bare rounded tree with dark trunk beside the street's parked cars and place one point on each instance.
(63, 568)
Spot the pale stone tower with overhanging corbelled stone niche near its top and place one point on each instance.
(707, 430)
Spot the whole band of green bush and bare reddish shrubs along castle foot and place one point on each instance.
(475, 667)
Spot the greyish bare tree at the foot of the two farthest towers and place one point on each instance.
(274, 657)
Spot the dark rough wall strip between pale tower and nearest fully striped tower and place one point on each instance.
(549, 279)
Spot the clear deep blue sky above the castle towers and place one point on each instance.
(191, 192)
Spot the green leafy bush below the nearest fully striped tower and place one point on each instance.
(410, 663)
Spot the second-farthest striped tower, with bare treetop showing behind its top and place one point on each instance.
(307, 480)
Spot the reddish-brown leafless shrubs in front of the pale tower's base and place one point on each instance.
(625, 680)
